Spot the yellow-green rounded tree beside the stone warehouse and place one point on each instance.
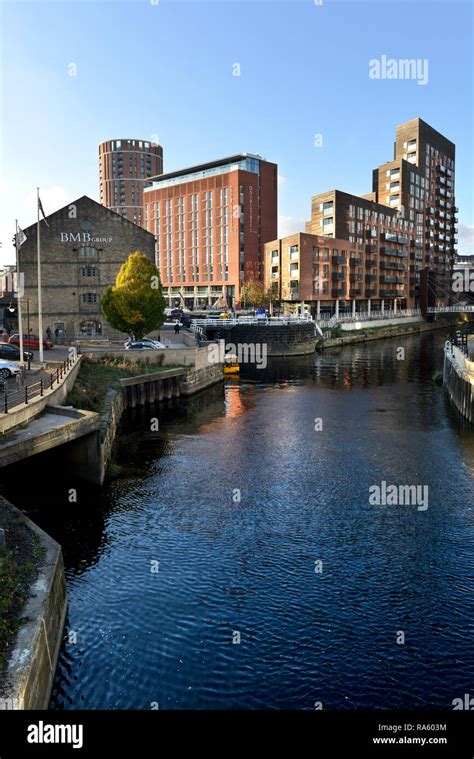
(135, 304)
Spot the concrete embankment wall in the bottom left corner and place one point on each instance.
(35, 654)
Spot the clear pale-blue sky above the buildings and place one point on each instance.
(164, 70)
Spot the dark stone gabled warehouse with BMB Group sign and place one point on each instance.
(82, 250)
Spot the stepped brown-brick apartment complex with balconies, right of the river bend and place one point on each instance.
(367, 252)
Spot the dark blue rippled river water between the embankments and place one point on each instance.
(234, 499)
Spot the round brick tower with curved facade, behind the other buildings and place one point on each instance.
(124, 169)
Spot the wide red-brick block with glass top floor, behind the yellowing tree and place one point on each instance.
(211, 222)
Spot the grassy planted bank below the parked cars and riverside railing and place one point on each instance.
(96, 378)
